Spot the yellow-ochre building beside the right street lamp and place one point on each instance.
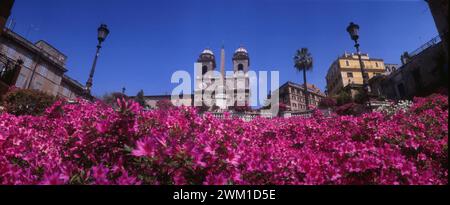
(346, 70)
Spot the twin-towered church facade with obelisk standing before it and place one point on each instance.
(224, 89)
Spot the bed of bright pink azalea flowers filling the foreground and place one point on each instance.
(91, 143)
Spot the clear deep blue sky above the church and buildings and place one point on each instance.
(149, 40)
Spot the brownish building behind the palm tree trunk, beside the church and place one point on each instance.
(293, 95)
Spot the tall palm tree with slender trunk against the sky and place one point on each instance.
(303, 62)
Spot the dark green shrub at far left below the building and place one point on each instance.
(27, 102)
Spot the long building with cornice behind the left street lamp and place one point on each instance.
(43, 66)
